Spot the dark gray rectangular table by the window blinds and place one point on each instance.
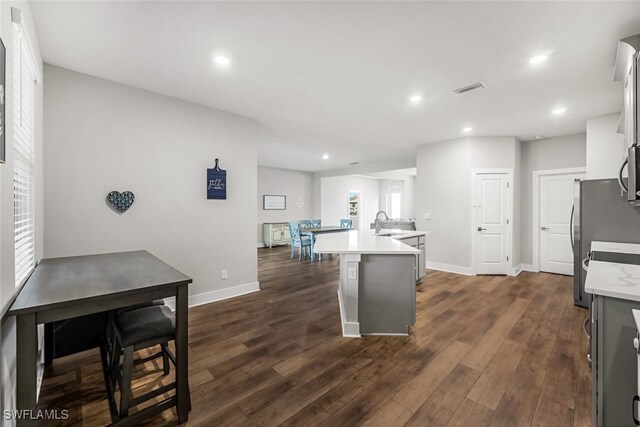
(64, 288)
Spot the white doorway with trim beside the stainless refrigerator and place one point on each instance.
(552, 210)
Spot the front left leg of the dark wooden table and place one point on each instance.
(26, 366)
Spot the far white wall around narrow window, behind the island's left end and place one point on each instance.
(334, 199)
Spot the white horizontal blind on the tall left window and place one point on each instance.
(23, 157)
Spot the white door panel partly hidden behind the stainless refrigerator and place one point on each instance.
(554, 234)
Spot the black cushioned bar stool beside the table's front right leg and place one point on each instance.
(132, 330)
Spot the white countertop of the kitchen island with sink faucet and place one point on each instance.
(363, 243)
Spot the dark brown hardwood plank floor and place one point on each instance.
(485, 351)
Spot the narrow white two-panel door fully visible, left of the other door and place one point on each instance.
(492, 223)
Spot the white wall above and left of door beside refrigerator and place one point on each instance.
(552, 153)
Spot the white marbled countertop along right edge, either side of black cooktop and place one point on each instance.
(612, 279)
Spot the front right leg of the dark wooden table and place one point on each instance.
(182, 354)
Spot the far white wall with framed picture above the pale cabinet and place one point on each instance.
(296, 185)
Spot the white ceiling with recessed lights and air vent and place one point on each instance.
(334, 77)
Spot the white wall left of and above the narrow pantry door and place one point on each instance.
(443, 189)
